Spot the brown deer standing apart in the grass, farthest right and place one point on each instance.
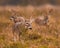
(42, 20)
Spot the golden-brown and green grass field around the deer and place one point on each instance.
(39, 36)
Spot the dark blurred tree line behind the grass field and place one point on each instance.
(27, 2)
